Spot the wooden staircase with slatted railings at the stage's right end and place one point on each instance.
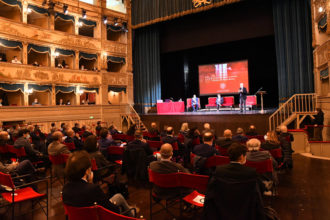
(296, 108)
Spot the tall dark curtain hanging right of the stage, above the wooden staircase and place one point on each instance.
(293, 42)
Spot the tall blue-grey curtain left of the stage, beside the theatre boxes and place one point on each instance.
(147, 78)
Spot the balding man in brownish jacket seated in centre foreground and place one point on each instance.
(166, 166)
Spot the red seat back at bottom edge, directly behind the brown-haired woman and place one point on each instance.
(81, 213)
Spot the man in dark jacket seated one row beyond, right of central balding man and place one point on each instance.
(206, 149)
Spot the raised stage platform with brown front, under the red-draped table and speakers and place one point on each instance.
(219, 120)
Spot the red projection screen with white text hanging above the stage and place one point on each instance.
(223, 78)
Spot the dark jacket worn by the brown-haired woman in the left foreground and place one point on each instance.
(82, 194)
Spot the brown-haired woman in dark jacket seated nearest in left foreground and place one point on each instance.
(79, 191)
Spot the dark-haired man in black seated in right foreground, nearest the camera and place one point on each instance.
(232, 191)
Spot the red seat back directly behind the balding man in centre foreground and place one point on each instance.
(164, 180)
